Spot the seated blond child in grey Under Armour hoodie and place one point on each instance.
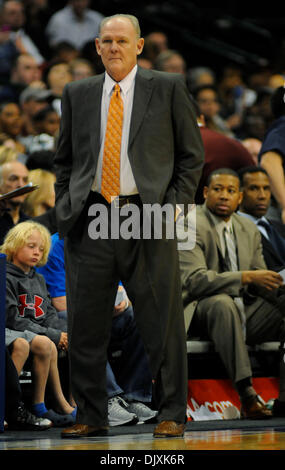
(31, 318)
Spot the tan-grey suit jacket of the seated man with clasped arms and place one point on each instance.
(203, 271)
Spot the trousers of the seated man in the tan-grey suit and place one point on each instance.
(217, 318)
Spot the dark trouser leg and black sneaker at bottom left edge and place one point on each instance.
(17, 416)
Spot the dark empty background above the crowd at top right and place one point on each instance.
(251, 36)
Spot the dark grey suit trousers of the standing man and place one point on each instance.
(150, 273)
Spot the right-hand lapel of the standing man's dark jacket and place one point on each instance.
(142, 94)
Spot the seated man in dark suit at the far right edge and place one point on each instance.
(256, 190)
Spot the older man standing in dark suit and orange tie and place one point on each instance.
(157, 158)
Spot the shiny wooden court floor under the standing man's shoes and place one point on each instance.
(209, 436)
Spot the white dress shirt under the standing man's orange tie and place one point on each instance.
(127, 182)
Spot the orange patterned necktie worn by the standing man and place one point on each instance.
(110, 184)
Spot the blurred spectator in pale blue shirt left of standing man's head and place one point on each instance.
(75, 23)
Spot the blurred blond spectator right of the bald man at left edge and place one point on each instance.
(40, 201)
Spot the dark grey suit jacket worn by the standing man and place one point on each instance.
(165, 147)
